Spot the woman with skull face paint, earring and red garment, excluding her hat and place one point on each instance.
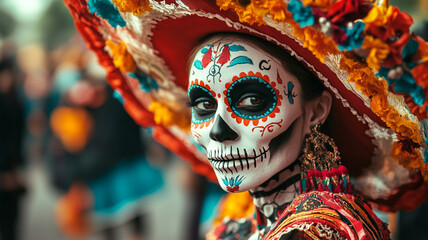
(233, 106)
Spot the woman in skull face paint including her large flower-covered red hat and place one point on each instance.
(254, 113)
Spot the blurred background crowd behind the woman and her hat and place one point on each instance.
(74, 165)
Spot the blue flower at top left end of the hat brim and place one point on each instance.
(106, 10)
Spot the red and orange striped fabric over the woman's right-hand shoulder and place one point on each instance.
(347, 215)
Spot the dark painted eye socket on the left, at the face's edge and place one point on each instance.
(203, 104)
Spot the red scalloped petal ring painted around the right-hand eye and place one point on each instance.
(265, 78)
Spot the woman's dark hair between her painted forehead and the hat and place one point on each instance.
(311, 85)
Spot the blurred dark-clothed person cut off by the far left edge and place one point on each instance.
(11, 131)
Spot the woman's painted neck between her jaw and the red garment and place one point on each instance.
(277, 193)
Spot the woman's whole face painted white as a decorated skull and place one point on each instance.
(246, 112)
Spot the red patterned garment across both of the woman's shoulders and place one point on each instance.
(313, 215)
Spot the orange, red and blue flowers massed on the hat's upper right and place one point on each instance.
(378, 34)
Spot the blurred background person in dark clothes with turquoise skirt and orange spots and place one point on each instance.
(98, 156)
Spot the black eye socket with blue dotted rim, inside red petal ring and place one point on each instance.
(251, 97)
